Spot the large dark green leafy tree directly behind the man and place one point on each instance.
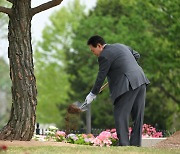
(151, 28)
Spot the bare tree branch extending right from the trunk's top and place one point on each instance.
(45, 6)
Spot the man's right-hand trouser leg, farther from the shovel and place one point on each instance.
(137, 114)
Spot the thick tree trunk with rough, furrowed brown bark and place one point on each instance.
(22, 120)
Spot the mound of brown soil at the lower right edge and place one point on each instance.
(171, 142)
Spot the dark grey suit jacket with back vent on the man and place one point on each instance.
(119, 63)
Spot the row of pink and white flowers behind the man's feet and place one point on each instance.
(105, 138)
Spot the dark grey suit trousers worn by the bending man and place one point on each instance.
(130, 103)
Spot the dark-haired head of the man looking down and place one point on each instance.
(96, 44)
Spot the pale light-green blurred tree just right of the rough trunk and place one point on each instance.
(52, 80)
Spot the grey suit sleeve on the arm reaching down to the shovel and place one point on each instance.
(104, 66)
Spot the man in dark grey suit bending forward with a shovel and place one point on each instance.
(127, 84)
